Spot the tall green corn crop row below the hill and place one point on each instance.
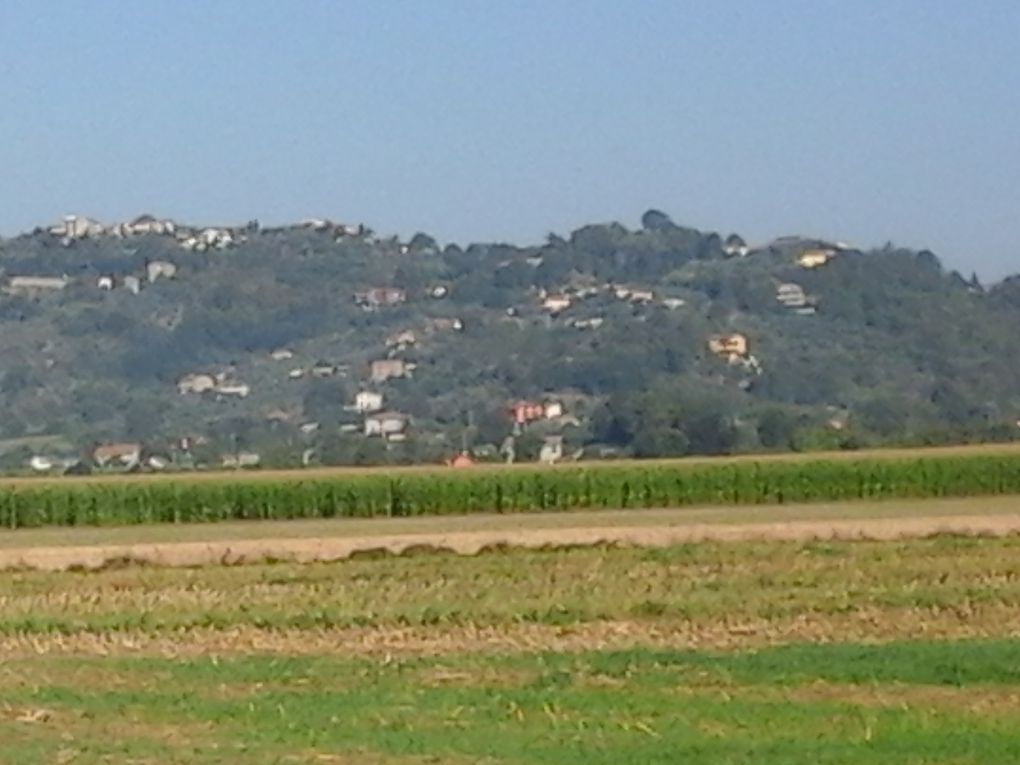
(447, 492)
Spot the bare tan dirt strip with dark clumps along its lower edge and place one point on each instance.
(472, 542)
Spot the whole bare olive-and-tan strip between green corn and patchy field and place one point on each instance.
(644, 529)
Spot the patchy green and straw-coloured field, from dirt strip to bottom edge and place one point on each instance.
(767, 652)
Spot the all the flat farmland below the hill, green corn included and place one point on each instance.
(729, 611)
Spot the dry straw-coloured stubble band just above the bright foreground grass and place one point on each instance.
(382, 643)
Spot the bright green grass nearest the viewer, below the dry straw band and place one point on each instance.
(901, 703)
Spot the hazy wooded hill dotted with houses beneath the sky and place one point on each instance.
(657, 341)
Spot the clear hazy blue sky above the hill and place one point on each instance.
(864, 121)
